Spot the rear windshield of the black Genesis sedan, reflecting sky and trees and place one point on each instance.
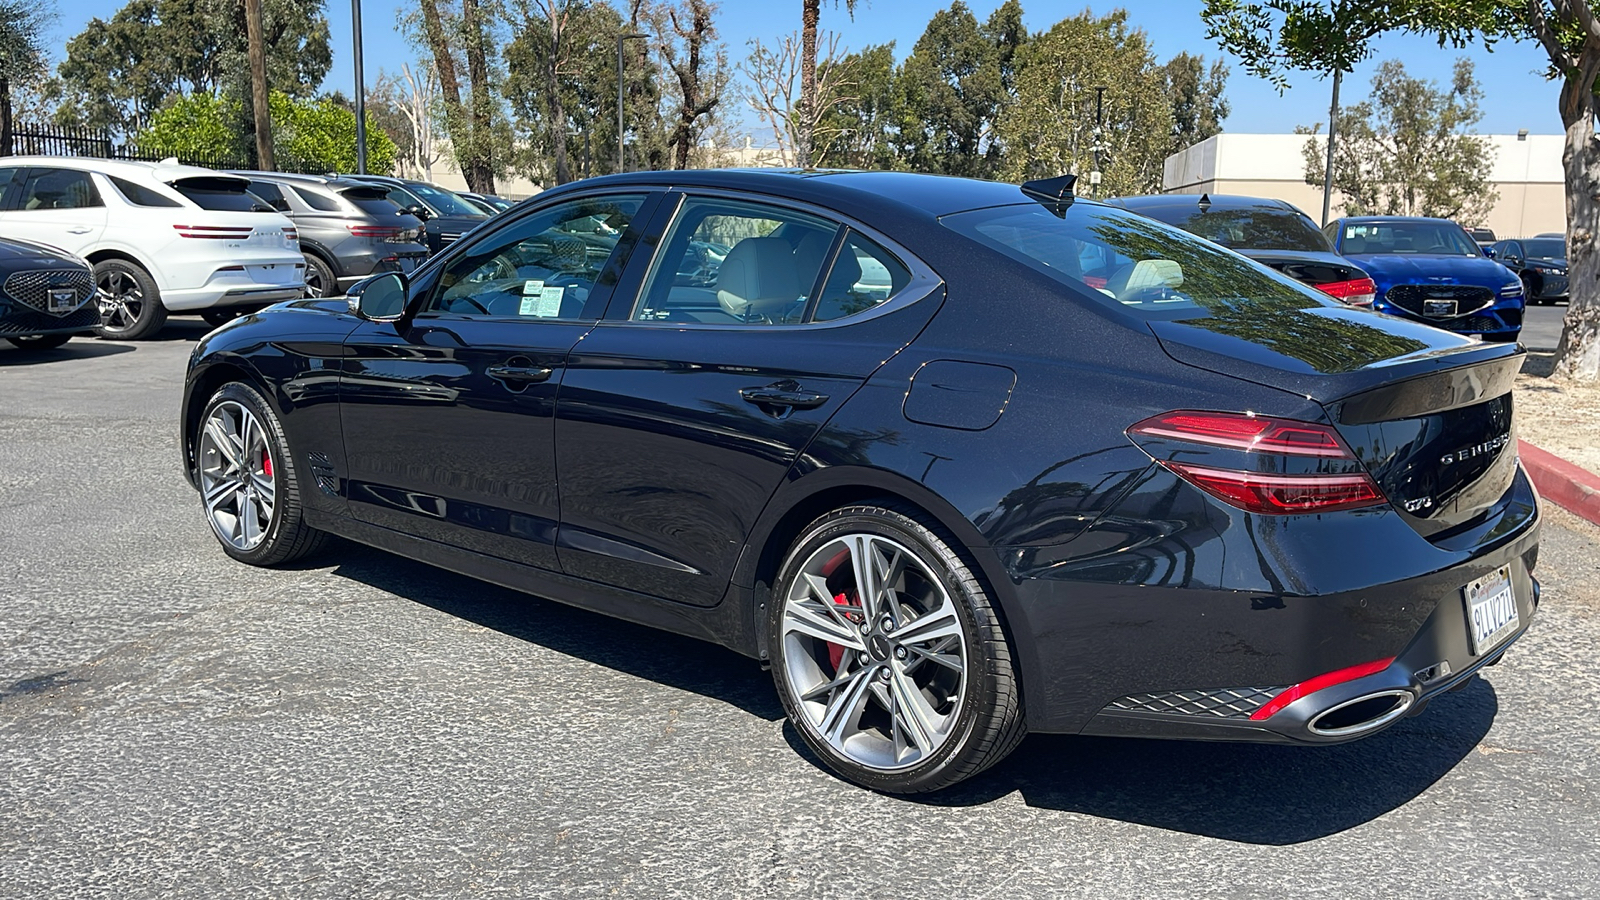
(1130, 262)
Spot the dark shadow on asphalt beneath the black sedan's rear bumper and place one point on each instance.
(1241, 792)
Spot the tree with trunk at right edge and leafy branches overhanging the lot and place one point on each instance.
(1276, 38)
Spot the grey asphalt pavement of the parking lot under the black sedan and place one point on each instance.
(175, 725)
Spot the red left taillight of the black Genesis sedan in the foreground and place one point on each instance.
(1273, 494)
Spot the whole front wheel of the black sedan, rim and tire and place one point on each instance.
(249, 484)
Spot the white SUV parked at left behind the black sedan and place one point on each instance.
(161, 238)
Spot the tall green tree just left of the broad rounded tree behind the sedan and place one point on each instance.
(954, 89)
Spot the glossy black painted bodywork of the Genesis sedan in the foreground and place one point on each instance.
(642, 480)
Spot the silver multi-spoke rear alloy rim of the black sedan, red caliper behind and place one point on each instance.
(874, 653)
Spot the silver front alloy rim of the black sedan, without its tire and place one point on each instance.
(238, 480)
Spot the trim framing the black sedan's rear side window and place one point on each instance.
(924, 279)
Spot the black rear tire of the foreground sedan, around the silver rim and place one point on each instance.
(985, 728)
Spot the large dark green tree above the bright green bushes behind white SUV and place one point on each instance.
(118, 73)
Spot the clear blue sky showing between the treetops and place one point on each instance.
(1516, 92)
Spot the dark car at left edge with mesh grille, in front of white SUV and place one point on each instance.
(46, 295)
